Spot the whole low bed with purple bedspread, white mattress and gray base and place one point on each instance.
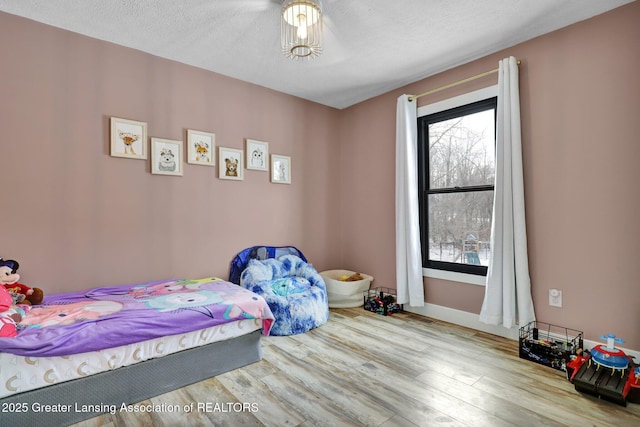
(81, 354)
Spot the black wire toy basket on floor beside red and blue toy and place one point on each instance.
(548, 344)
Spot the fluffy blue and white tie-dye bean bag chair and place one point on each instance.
(294, 291)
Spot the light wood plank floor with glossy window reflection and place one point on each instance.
(364, 369)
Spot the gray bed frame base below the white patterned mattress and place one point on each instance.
(130, 384)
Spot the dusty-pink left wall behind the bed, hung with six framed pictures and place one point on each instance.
(76, 217)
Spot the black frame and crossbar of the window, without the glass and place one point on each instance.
(423, 181)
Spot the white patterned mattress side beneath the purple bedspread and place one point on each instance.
(19, 373)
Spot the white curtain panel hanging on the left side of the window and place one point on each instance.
(408, 254)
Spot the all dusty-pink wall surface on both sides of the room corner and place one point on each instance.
(77, 217)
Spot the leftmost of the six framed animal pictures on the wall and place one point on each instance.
(128, 138)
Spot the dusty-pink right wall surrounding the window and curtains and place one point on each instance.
(580, 101)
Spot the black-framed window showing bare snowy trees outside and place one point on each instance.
(456, 167)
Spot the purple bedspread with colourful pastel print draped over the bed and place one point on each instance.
(100, 318)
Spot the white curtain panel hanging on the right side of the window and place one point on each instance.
(507, 299)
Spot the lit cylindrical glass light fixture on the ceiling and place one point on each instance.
(301, 29)
